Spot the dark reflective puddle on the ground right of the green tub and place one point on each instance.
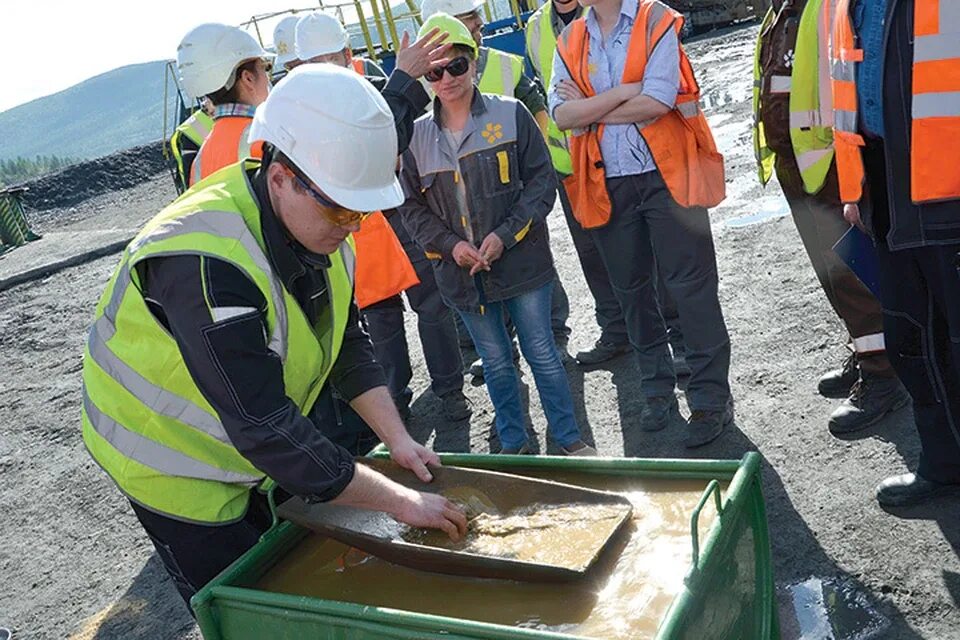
(828, 609)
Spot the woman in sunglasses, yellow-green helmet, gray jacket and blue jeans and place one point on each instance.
(479, 183)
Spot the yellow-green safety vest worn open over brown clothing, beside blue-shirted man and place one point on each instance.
(811, 100)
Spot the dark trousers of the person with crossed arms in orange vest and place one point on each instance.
(648, 234)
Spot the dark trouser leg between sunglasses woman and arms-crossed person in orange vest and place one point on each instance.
(613, 328)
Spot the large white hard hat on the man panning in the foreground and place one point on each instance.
(338, 130)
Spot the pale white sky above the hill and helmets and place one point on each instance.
(59, 43)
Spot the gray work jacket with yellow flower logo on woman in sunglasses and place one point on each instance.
(509, 185)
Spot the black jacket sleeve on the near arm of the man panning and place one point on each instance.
(217, 316)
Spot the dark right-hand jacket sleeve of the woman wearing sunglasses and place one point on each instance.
(539, 182)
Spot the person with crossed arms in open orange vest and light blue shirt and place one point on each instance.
(646, 224)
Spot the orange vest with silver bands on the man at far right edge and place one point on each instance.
(935, 126)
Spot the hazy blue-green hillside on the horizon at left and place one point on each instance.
(116, 110)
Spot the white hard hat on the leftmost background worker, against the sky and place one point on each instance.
(209, 54)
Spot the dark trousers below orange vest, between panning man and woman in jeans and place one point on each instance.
(435, 324)
